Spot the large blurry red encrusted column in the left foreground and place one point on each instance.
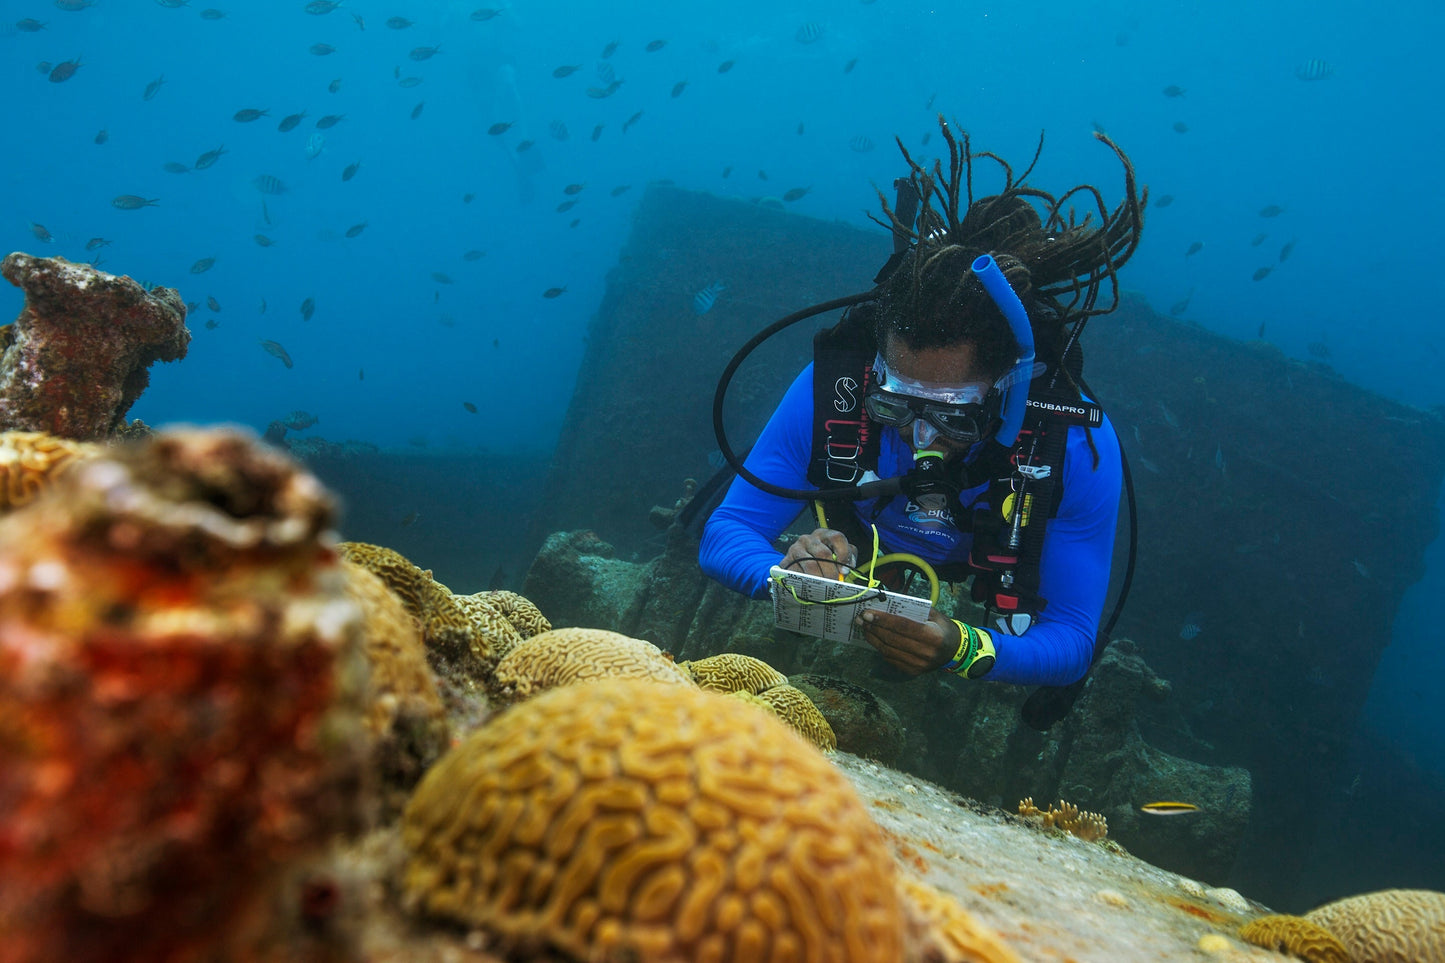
(181, 699)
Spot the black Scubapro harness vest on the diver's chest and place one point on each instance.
(1008, 531)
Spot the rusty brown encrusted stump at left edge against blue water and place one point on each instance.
(77, 356)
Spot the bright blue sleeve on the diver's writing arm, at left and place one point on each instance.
(738, 542)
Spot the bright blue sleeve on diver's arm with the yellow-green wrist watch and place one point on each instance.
(1074, 573)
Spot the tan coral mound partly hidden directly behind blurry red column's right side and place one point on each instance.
(404, 715)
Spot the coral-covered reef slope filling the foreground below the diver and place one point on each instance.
(225, 735)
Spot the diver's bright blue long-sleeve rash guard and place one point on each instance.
(738, 543)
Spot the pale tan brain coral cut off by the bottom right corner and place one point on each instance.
(1391, 926)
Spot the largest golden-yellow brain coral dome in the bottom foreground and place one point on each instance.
(625, 819)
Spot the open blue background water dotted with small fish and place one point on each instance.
(1352, 158)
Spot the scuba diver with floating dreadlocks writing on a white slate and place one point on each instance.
(944, 424)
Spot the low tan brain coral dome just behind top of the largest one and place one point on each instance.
(564, 657)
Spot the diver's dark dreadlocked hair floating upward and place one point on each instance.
(1054, 260)
